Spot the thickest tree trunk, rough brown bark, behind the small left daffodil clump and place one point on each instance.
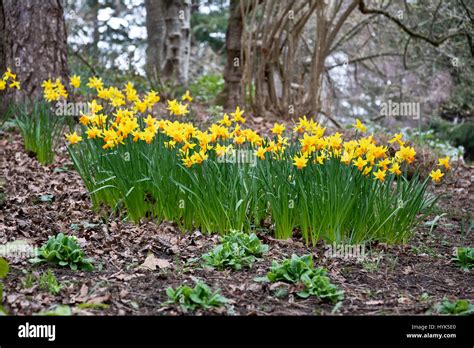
(35, 45)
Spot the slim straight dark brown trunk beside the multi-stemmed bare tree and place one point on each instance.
(233, 69)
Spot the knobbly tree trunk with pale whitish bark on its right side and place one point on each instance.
(168, 29)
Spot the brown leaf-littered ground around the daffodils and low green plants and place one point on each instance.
(43, 201)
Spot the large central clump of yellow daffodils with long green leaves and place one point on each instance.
(302, 176)
